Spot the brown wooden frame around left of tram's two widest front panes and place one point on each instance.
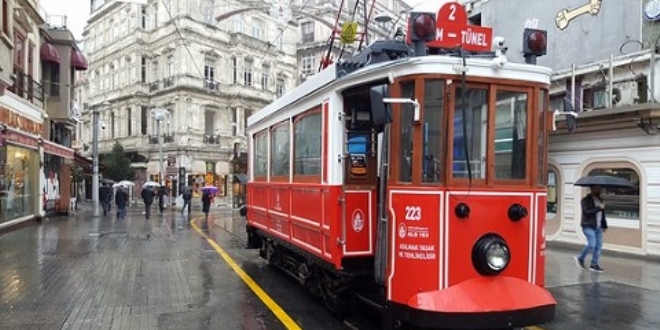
(456, 96)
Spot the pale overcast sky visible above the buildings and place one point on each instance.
(77, 11)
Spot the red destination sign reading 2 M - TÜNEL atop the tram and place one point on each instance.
(453, 30)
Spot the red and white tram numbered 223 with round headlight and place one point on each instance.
(413, 180)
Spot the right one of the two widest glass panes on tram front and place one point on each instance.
(510, 135)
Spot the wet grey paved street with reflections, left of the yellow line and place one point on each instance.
(132, 273)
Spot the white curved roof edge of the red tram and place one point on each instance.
(330, 78)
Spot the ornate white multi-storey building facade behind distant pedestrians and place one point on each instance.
(209, 75)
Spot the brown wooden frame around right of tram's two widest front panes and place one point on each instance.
(528, 138)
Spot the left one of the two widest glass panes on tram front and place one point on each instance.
(476, 141)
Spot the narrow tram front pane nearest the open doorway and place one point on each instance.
(406, 133)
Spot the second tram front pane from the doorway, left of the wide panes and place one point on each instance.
(432, 163)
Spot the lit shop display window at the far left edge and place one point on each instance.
(19, 184)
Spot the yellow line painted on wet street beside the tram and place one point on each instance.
(288, 322)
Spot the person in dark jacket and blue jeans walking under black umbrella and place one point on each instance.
(594, 225)
